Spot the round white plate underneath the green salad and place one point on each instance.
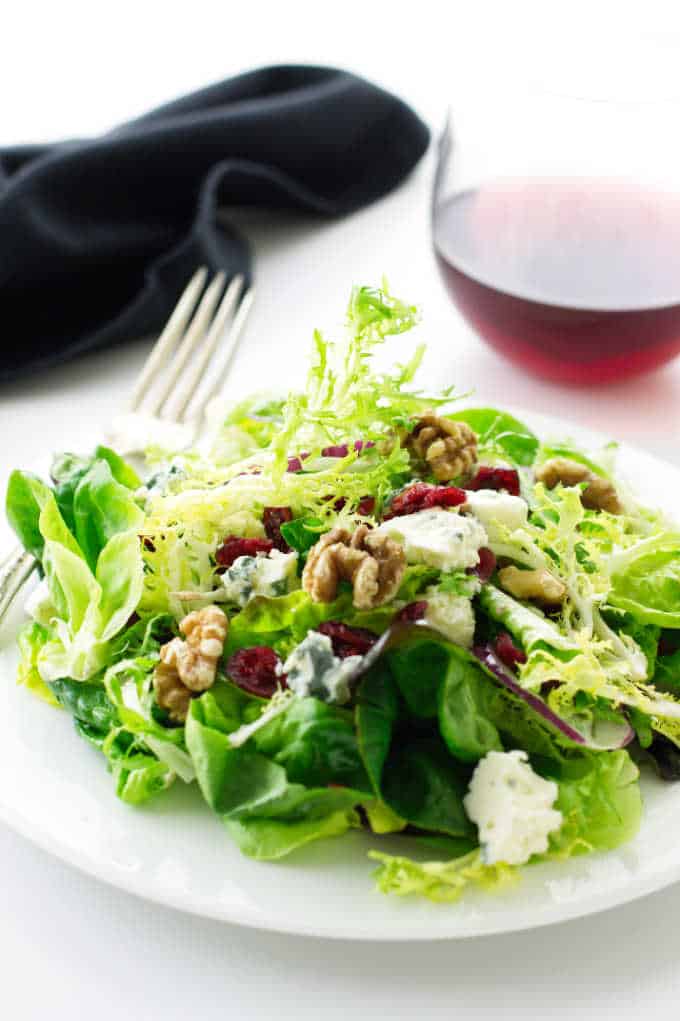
(55, 790)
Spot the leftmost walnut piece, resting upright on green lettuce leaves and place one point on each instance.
(188, 667)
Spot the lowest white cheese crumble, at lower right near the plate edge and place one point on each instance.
(513, 808)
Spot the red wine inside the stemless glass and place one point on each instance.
(576, 279)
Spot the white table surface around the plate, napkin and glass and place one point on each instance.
(71, 947)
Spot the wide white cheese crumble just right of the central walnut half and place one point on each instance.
(440, 539)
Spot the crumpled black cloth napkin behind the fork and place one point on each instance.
(99, 237)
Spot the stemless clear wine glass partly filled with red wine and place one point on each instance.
(556, 224)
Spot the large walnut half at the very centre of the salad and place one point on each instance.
(372, 562)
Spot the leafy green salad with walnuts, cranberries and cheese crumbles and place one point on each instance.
(365, 606)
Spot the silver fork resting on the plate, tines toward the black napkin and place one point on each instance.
(174, 387)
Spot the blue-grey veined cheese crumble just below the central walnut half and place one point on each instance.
(314, 669)
